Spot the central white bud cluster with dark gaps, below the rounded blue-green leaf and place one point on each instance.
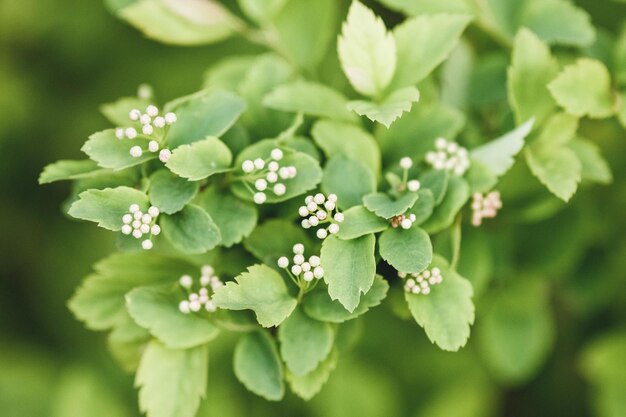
(318, 211)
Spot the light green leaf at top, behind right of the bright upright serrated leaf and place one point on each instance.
(423, 43)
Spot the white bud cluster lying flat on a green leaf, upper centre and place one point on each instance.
(265, 174)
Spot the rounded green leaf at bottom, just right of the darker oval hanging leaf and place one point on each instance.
(304, 342)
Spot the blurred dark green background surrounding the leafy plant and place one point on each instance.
(60, 59)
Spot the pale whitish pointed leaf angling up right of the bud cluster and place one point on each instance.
(498, 154)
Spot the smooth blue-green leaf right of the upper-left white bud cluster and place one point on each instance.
(203, 115)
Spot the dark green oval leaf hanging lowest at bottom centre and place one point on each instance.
(257, 365)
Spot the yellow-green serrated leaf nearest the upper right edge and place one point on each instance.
(584, 88)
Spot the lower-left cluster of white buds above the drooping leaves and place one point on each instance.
(207, 284)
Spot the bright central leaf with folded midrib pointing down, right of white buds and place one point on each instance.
(349, 268)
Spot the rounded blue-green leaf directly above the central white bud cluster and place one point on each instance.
(349, 179)
